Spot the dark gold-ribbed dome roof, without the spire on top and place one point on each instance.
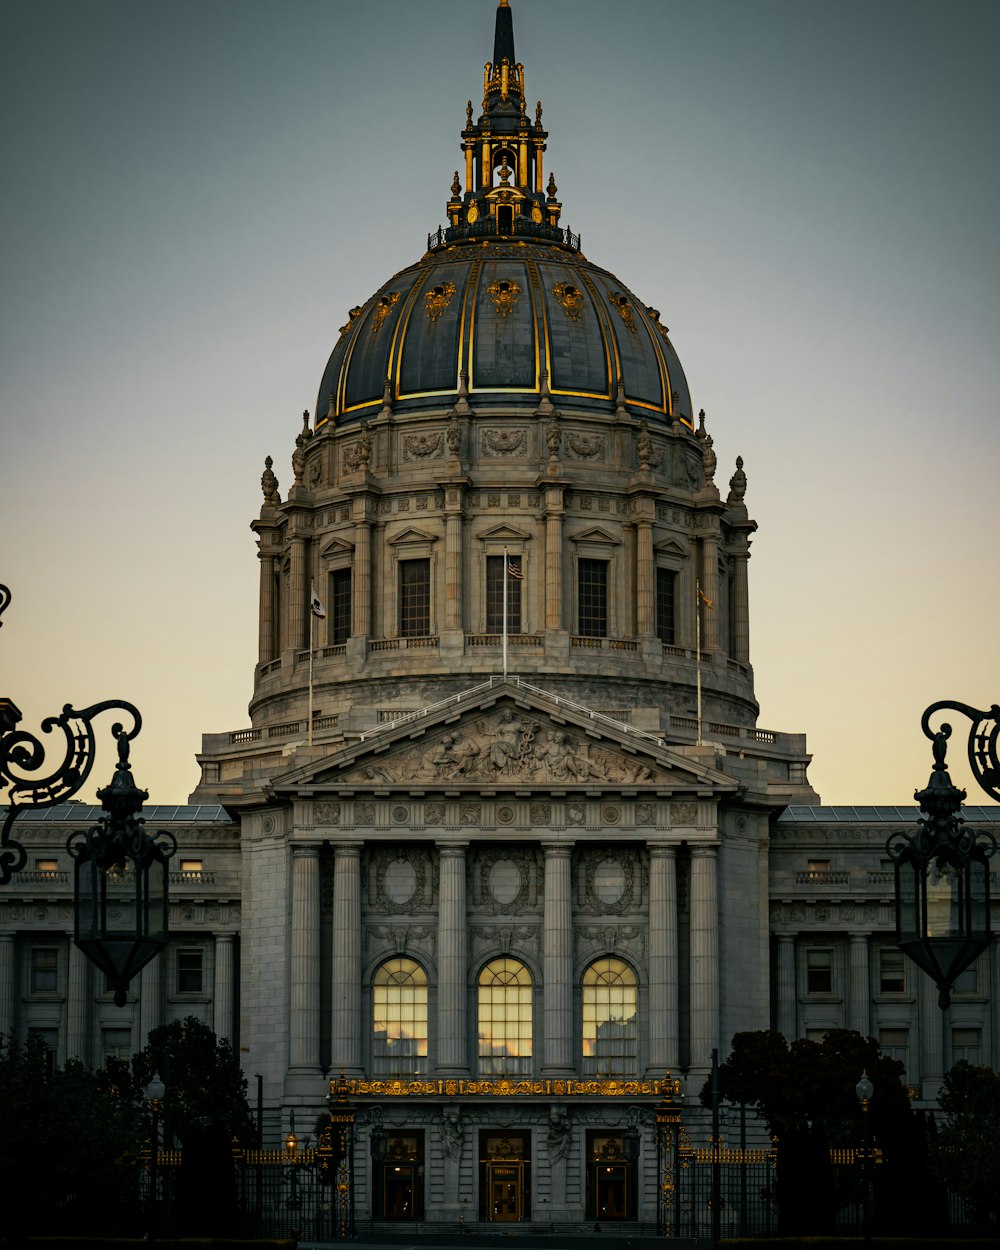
(504, 312)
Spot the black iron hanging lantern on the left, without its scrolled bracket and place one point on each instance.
(122, 882)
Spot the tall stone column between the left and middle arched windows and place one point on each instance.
(453, 1042)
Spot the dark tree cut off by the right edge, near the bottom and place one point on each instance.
(968, 1154)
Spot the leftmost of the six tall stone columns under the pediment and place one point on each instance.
(304, 973)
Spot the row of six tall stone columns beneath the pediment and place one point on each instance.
(453, 1052)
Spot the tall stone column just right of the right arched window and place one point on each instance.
(664, 1021)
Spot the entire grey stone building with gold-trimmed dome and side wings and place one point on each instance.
(504, 843)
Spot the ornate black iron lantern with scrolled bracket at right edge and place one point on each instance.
(943, 878)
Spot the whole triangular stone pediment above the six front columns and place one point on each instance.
(498, 742)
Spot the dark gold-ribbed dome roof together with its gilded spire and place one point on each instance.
(504, 303)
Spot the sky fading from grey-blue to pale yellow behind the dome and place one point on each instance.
(197, 192)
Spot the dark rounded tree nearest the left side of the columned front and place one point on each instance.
(206, 1109)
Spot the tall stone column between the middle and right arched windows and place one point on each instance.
(558, 962)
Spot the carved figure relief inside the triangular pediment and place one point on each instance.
(507, 746)
